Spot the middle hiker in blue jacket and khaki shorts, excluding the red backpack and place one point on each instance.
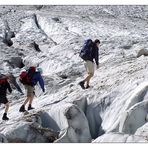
(31, 90)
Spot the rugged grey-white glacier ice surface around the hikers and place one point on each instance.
(114, 109)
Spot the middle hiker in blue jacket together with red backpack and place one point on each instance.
(30, 79)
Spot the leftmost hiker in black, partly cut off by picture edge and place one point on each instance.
(4, 85)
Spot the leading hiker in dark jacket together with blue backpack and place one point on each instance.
(89, 52)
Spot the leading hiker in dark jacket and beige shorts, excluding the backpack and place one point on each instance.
(89, 64)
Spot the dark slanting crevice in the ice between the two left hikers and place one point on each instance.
(13, 81)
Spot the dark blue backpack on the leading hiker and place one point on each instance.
(86, 50)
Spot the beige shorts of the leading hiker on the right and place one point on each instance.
(90, 67)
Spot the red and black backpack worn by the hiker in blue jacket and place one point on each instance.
(26, 77)
